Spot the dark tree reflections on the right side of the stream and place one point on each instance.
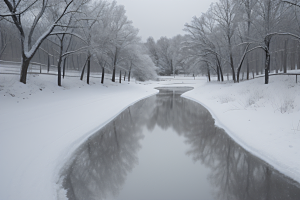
(235, 174)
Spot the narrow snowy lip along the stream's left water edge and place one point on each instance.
(65, 157)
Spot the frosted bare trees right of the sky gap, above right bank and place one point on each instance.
(234, 38)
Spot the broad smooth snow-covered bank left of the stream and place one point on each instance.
(42, 123)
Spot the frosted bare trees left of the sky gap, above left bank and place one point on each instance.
(80, 35)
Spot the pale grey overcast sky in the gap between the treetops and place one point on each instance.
(158, 18)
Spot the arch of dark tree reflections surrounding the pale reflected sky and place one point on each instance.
(100, 166)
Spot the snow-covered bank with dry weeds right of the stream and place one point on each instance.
(263, 119)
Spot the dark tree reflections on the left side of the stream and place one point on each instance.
(100, 165)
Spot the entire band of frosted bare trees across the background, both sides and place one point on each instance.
(234, 38)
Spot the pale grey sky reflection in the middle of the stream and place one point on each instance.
(164, 171)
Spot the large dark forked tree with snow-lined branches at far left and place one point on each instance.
(34, 13)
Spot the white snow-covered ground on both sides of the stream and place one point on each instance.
(41, 124)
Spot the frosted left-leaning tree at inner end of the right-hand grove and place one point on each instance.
(205, 44)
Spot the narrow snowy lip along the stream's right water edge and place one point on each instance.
(281, 167)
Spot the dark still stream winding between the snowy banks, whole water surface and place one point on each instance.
(168, 148)
